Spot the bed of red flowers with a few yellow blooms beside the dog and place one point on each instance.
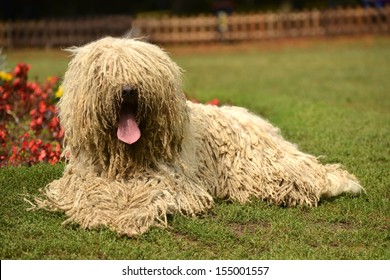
(29, 126)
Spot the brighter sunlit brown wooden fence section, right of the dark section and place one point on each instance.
(260, 26)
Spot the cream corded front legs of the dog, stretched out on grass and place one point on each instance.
(129, 206)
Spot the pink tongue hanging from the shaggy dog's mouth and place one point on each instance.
(128, 130)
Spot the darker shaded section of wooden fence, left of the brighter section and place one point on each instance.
(60, 33)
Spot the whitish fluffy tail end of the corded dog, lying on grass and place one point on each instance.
(340, 181)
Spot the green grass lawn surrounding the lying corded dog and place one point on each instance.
(332, 99)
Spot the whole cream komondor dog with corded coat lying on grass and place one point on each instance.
(138, 151)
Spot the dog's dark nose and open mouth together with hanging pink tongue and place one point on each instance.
(128, 130)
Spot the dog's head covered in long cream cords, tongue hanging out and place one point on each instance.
(122, 101)
